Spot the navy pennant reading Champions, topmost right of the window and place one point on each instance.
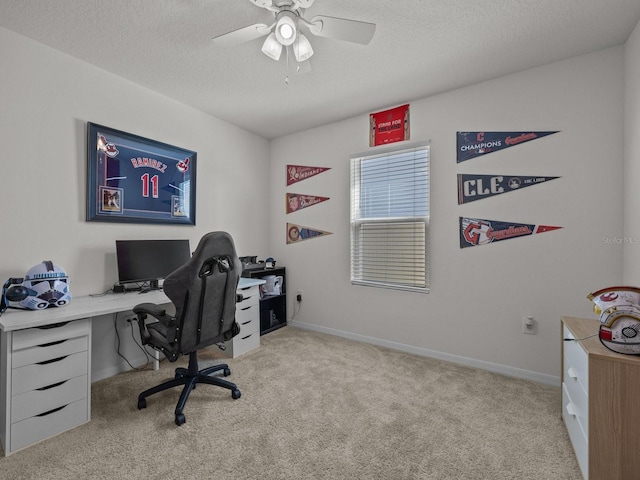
(474, 144)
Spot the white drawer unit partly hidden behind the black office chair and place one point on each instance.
(248, 318)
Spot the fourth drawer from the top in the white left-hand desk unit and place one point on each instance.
(35, 402)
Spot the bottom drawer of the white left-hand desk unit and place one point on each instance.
(37, 428)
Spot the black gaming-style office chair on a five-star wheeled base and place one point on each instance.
(204, 294)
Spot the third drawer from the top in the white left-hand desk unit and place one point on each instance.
(40, 375)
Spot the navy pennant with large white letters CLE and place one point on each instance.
(476, 187)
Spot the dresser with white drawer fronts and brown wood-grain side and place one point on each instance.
(600, 403)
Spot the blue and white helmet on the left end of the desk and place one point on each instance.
(47, 285)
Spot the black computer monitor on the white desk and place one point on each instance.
(147, 261)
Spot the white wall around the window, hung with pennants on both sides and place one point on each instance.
(478, 295)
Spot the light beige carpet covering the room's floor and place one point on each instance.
(315, 406)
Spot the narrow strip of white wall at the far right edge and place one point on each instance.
(632, 160)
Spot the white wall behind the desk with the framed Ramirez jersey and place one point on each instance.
(46, 99)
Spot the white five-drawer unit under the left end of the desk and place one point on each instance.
(46, 386)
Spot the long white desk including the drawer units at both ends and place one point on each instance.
(45, 362)
